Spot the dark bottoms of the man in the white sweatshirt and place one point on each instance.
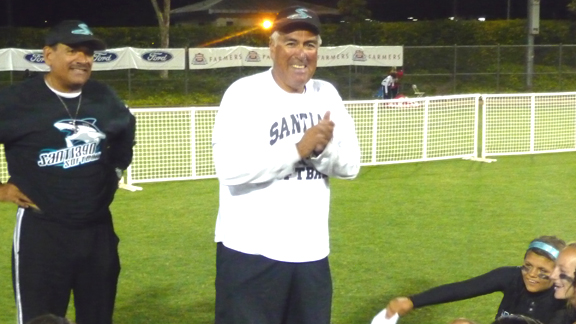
(252, 289)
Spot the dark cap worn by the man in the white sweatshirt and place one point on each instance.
(297, 17)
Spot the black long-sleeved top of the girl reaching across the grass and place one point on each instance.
(508, 280)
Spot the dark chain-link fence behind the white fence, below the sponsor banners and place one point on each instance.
(436, 70)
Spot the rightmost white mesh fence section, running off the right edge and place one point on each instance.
(528, 123)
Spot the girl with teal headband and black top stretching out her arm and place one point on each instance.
(528, 289)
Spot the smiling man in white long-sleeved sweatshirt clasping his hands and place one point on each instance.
(279, 135)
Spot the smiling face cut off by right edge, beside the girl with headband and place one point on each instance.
(564, 284)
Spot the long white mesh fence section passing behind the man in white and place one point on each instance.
(176, 143)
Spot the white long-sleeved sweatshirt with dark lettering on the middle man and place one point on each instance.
(271, 202)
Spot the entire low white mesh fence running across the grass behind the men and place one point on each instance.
(175, 143)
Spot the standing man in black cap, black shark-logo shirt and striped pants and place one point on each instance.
(67, 140)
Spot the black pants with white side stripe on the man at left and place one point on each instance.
(50, 260)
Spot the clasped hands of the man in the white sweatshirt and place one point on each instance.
(316, 138)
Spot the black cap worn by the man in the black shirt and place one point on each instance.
(73, 32)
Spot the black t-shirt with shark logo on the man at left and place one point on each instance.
(65, 163)
